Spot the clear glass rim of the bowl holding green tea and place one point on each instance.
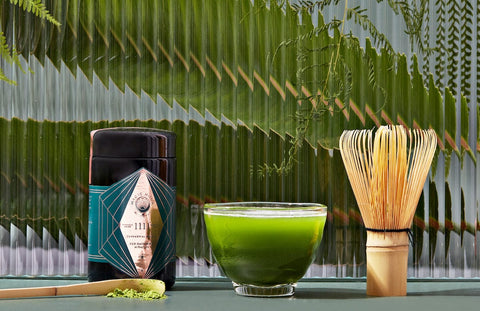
(266, 209)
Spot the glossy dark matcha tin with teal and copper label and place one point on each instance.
(131, 231)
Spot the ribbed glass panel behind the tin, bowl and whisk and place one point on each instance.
(228, 77)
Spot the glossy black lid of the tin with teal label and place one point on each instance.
(132, 142)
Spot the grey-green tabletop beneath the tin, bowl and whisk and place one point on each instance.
(214, 295)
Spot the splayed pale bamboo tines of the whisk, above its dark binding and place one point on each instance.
(387, 171)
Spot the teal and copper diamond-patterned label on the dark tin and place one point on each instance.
(131, 224)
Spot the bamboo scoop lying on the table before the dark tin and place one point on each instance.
(92, 288)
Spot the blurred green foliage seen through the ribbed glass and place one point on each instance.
(216, 57)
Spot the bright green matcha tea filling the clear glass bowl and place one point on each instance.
(264, 248)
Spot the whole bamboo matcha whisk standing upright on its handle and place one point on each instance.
(387, 173)
